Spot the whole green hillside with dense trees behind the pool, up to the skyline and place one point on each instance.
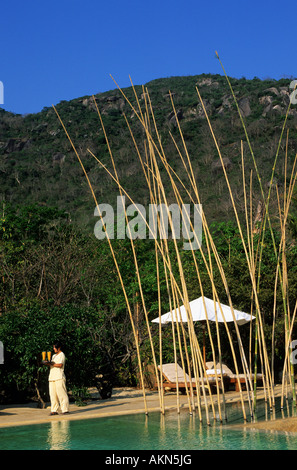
(59, 281)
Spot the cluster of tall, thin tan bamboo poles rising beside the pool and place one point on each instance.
(185, 342)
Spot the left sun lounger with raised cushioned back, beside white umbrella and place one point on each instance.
(170, 374)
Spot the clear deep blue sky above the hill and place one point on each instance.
(60, 50)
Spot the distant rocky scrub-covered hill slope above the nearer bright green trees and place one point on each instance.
(38, 165)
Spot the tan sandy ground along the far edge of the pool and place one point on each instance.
(125, 401)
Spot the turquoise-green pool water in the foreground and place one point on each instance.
(153, 432)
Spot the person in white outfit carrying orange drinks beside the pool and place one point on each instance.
(57, 382)
